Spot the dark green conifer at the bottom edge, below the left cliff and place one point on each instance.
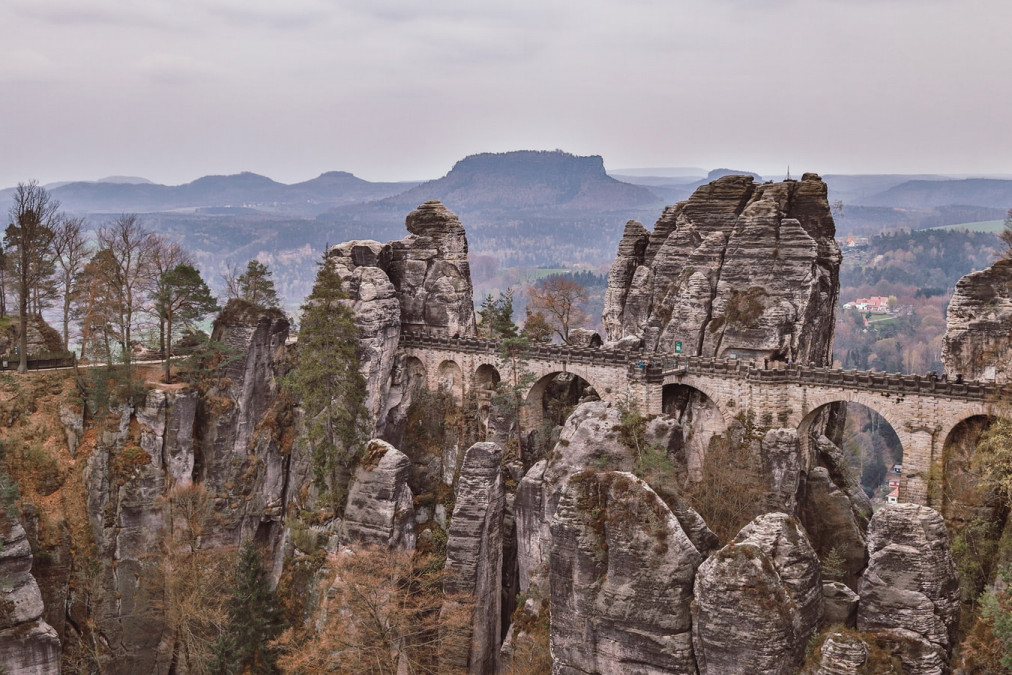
(254, 620)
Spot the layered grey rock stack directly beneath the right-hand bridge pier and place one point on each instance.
(910, 594)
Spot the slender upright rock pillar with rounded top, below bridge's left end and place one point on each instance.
(475, 556)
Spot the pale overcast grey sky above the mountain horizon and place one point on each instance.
(400, 91)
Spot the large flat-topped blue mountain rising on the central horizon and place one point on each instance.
(526, 208)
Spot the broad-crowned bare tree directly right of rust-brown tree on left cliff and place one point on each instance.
(132, 248)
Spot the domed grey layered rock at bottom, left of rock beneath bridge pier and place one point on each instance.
(758, 601)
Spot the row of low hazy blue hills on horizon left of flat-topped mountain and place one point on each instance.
(248, 191)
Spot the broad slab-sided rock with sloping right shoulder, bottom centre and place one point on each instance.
(622, 571)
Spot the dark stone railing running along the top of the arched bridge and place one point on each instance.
(657, 367)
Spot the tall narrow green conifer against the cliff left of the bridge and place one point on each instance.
(329, 385)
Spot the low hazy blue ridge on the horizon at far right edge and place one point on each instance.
(990, 193)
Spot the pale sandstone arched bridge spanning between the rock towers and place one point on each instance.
(924, 411)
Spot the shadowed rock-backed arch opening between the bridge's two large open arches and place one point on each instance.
(701, 418)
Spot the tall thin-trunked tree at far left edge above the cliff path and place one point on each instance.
(30, 235)
